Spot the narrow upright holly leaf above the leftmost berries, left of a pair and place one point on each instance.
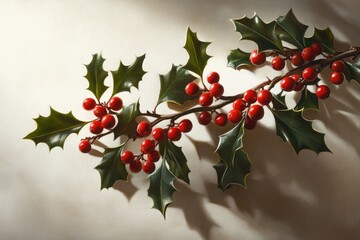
(96, 76)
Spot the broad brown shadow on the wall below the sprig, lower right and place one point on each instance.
(306, 193)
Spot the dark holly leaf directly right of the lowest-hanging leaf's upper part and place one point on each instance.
(176, 159)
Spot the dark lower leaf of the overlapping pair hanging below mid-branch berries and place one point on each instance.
(234, 174)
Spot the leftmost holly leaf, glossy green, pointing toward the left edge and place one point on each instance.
(54, 129)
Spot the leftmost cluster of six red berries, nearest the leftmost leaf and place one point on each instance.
(104, 118)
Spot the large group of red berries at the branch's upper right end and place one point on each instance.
(296, 82)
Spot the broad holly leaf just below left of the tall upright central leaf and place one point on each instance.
(172, 86)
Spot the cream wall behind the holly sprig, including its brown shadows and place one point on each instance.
(56, 195)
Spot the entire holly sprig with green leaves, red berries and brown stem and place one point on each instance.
(280, 41)
